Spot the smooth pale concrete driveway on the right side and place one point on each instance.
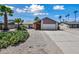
(67, 41)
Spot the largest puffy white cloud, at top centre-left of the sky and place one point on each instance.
(31, 9)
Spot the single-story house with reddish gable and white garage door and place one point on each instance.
(46, 24)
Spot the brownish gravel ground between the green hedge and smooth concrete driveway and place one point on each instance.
(38, 43)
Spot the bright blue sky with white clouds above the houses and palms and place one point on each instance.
(29, 11)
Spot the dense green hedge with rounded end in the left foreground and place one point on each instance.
(12, 38)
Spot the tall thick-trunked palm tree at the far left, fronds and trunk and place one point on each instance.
(5, 11)
